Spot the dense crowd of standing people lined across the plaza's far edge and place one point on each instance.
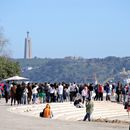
(34, 93)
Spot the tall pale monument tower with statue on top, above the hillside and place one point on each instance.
(28, 47)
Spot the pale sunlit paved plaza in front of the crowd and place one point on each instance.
(66, 117)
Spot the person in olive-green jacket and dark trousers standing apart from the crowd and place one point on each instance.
(89, 109)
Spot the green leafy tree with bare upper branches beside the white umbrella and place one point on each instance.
(8, 67)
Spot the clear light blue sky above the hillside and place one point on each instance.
(59, 28)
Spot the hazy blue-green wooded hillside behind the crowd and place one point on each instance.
(71, 69)
